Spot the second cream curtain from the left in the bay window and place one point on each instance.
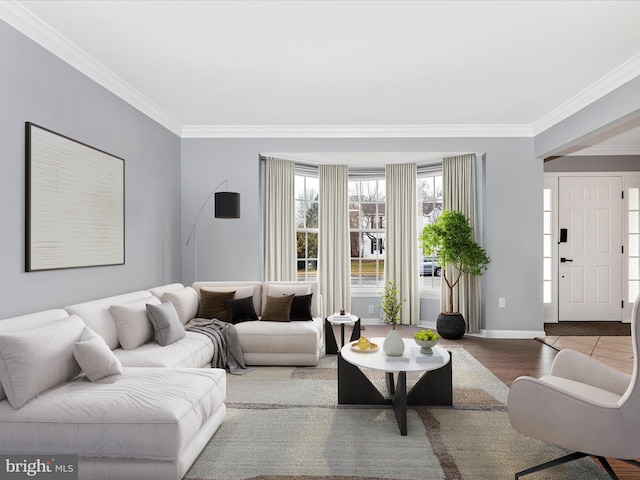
(334, 265)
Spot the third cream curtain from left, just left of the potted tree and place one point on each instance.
(401, 260)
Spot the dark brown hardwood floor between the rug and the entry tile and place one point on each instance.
(507, 359)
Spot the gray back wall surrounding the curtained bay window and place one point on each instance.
(230, 249)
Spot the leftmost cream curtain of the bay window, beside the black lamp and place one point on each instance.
(280, 232)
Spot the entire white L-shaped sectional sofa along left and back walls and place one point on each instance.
(151, 417)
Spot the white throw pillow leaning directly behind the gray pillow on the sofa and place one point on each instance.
(133, 326)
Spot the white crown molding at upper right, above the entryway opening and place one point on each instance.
(612, 80)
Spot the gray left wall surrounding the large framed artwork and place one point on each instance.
(38, 87)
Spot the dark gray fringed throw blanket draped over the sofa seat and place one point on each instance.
(227, 351)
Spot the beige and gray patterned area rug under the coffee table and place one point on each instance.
(284, 423)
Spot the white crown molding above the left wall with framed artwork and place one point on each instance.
(32, 27)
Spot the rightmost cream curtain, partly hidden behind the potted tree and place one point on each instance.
(459, 193)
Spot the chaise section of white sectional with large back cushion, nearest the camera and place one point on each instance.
(149, 423)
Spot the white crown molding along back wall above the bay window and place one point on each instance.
(354, 131)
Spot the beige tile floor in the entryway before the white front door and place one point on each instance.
(614, 351)
